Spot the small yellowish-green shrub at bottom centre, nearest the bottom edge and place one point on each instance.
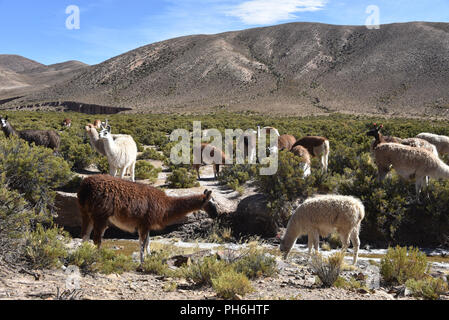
(229, 284)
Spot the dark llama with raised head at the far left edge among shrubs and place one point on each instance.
(46, 138)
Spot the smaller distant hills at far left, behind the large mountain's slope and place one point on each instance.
(21, 76)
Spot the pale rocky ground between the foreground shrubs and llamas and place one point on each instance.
(294, 280)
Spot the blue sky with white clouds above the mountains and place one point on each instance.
(37, 29)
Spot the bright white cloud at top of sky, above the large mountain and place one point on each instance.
(260, 12)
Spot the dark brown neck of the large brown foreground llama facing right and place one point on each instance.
(179, 207)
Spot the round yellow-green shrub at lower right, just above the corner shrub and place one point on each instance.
(400, 265)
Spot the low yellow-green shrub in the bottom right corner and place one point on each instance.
(428, 288)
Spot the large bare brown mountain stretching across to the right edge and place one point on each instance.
(295, 68)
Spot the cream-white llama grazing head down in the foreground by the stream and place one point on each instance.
(320, 215)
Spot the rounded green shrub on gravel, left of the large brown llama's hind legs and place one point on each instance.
(45, 248)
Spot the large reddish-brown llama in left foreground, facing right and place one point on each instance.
(133, 207)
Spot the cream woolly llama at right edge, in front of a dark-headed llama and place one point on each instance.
(409, 162)
